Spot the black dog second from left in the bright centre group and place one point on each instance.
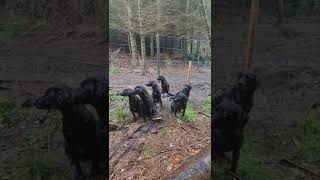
(148, 106)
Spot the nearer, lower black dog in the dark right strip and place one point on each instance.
(229, 121)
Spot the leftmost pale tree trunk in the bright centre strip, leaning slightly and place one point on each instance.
(133, 41)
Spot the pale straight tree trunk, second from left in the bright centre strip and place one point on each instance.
(143, 44)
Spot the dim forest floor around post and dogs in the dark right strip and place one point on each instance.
(282, 135)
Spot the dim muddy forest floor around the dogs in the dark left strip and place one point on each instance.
(31, 61)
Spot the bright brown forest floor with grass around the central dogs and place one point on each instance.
(134, 154)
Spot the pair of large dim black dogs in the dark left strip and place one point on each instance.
(84, 122)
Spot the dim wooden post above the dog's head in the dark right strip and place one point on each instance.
(252, 34)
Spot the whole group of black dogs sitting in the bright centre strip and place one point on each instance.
(144, 104)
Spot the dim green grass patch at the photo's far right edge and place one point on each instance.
(309, 146)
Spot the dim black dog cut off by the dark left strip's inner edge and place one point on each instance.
(93, 90)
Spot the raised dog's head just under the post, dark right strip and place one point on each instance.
(248, 82)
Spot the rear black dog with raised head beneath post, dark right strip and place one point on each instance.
(242, 93)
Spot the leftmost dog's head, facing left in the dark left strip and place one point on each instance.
(55, 97)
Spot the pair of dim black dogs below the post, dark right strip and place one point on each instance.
(230, 115)
